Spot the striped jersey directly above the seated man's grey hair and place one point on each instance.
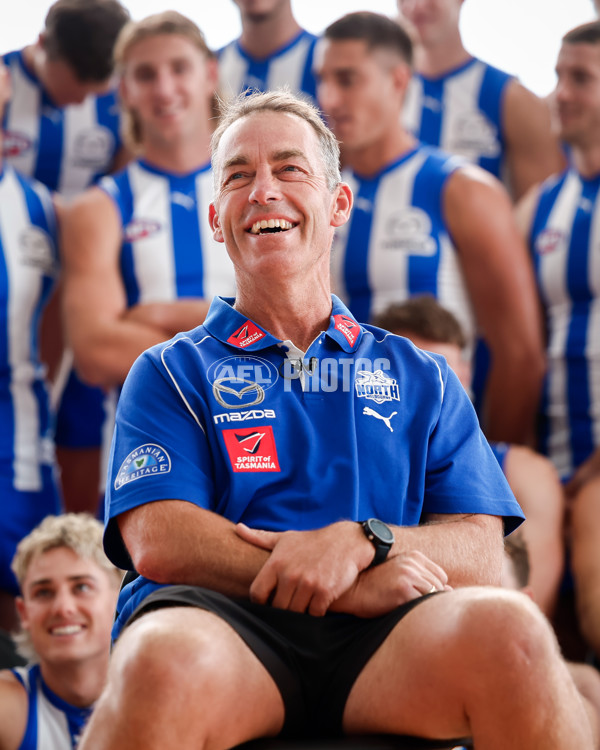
(291, 65)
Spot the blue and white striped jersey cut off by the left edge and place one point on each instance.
(28, 267)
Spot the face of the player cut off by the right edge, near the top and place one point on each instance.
(576, 99)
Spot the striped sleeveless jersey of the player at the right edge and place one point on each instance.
(565, 243)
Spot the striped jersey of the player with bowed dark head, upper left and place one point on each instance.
(65, 148)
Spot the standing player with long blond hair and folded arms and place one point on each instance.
(141, 263)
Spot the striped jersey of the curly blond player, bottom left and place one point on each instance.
(52, 723)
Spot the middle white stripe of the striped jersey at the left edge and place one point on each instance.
(24, 283)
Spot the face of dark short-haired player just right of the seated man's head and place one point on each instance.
(359, 91)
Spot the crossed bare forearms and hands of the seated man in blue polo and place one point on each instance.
(174, 541)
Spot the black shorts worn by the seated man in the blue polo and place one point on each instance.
(314, 661)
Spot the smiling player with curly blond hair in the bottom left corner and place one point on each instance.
(68, 592)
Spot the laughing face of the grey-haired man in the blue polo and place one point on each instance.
(270, 176)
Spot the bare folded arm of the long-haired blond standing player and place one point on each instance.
(105, 334)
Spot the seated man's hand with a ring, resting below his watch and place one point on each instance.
(400, 579)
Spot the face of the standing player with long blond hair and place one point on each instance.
(168, 83)
